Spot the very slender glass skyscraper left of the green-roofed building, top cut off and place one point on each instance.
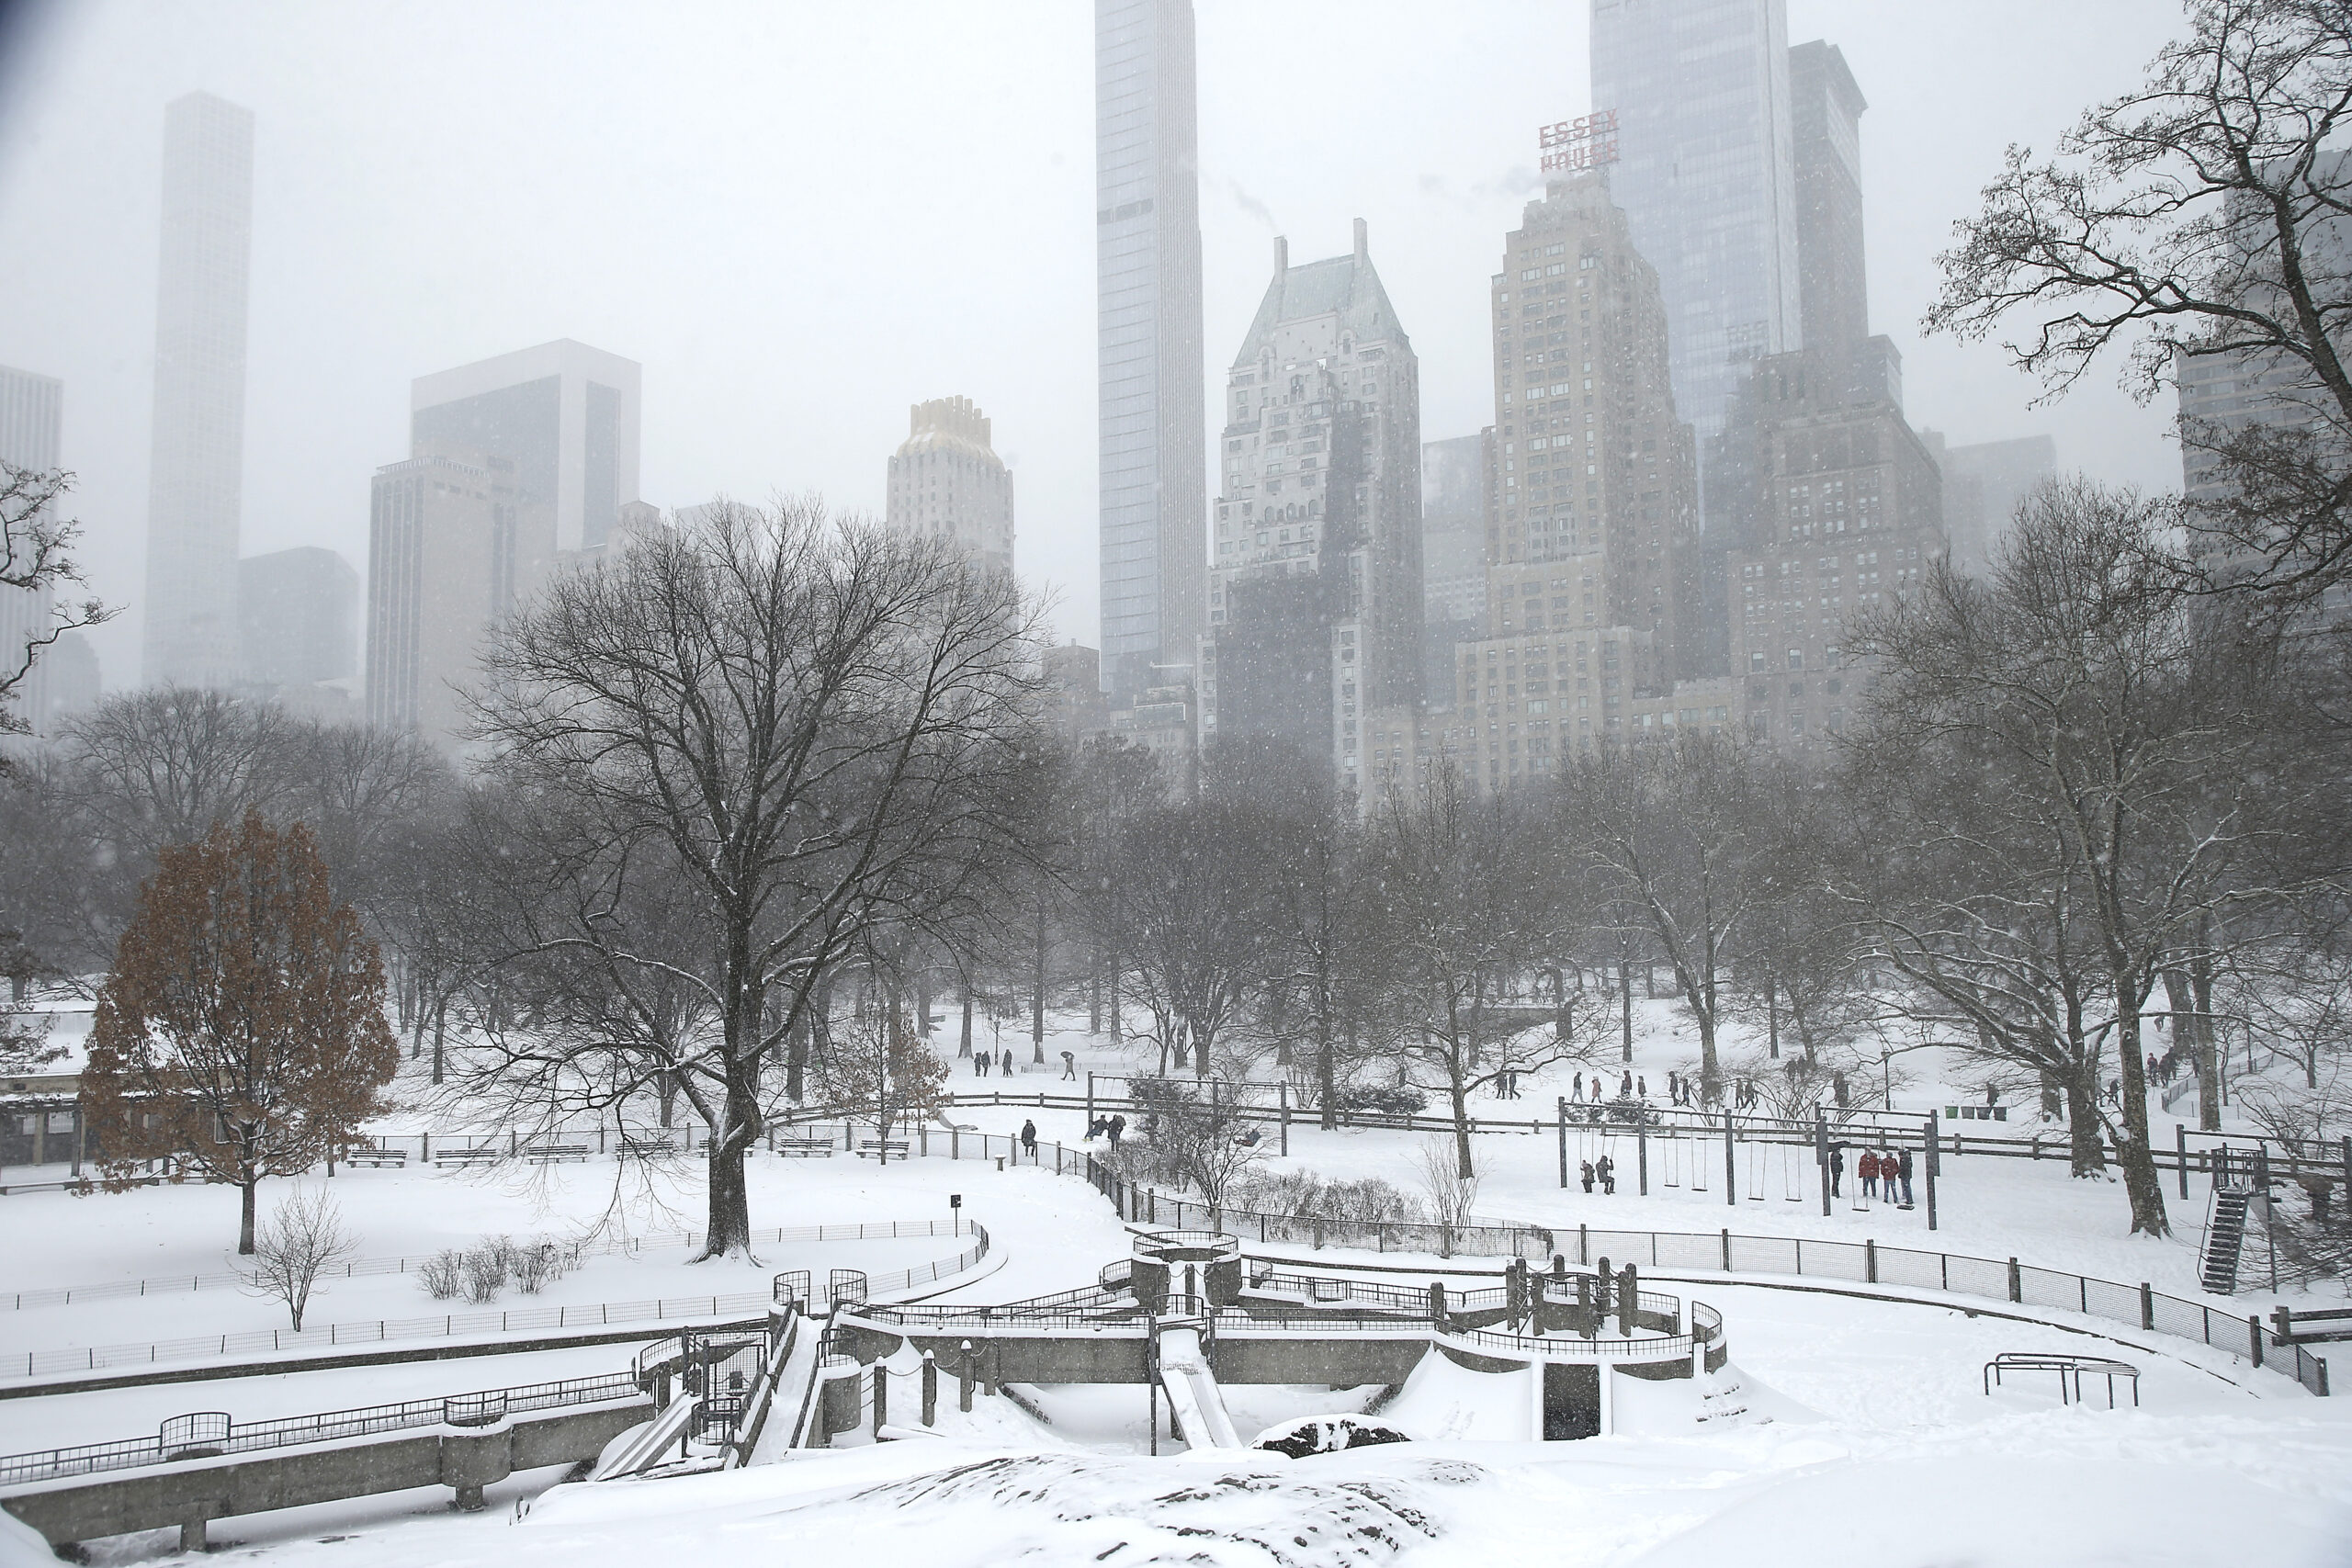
(1149, 342)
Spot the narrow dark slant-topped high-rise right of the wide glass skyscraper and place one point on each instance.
(1826, 109)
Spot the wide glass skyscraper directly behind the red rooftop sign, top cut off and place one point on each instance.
(1706, 177)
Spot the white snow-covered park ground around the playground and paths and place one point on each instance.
(1843, 1433)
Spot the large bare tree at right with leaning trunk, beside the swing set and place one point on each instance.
(2104, 768)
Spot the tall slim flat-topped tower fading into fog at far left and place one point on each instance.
(199, 438)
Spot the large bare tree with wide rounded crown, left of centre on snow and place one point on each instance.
(810, 730)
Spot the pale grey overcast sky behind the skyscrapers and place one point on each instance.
(801, 217)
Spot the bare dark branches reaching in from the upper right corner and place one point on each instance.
(2200, 217)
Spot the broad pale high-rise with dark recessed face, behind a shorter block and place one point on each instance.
(563, 415)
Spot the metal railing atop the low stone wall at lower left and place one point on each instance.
(211, 1433)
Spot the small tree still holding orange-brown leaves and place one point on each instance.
(243, 1026)
